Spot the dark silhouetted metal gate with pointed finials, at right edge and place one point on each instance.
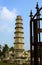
(35, 35)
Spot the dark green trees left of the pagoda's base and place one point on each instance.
(4, 50)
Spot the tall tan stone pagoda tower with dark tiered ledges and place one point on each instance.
(19, 39)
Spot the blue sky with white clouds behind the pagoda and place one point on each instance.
(9, 9)
